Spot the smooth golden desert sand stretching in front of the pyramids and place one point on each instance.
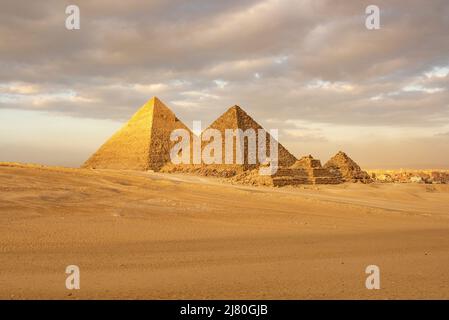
(144, 235)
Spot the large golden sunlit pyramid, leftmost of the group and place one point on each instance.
(143, 143)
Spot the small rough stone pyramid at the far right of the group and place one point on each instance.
(342, 165)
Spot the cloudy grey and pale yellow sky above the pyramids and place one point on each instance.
(309, 68)
